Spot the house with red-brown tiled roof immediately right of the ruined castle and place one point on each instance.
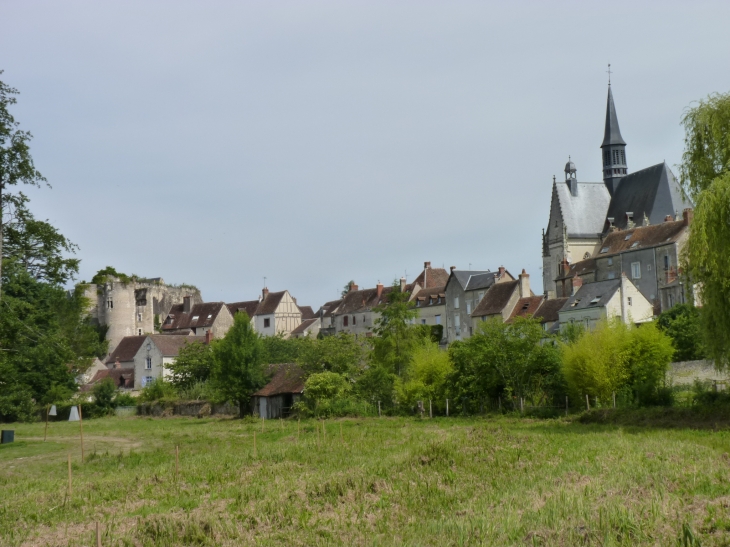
(198, 319)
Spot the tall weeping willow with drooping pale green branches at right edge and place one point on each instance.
(705, 176)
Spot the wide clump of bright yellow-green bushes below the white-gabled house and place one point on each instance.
(615, 357)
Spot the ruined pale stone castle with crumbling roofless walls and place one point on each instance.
(133, 307)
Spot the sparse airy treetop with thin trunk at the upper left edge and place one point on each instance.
(16, 163)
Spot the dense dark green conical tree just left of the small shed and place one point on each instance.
(238, 370)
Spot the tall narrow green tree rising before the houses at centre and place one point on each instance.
(396, 336)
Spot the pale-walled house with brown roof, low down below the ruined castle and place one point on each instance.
(157, 351)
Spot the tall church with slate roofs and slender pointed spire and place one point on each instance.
(583, 213)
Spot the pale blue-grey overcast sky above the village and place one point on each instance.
(219, 143)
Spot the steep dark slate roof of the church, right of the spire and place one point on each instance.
(653, 192)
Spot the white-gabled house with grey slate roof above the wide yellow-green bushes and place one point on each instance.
(605, 300)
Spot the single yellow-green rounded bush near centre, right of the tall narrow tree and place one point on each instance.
(426, 376)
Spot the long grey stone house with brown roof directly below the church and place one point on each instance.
(648, 255)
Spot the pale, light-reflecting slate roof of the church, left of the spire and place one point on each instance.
(584, 214)
